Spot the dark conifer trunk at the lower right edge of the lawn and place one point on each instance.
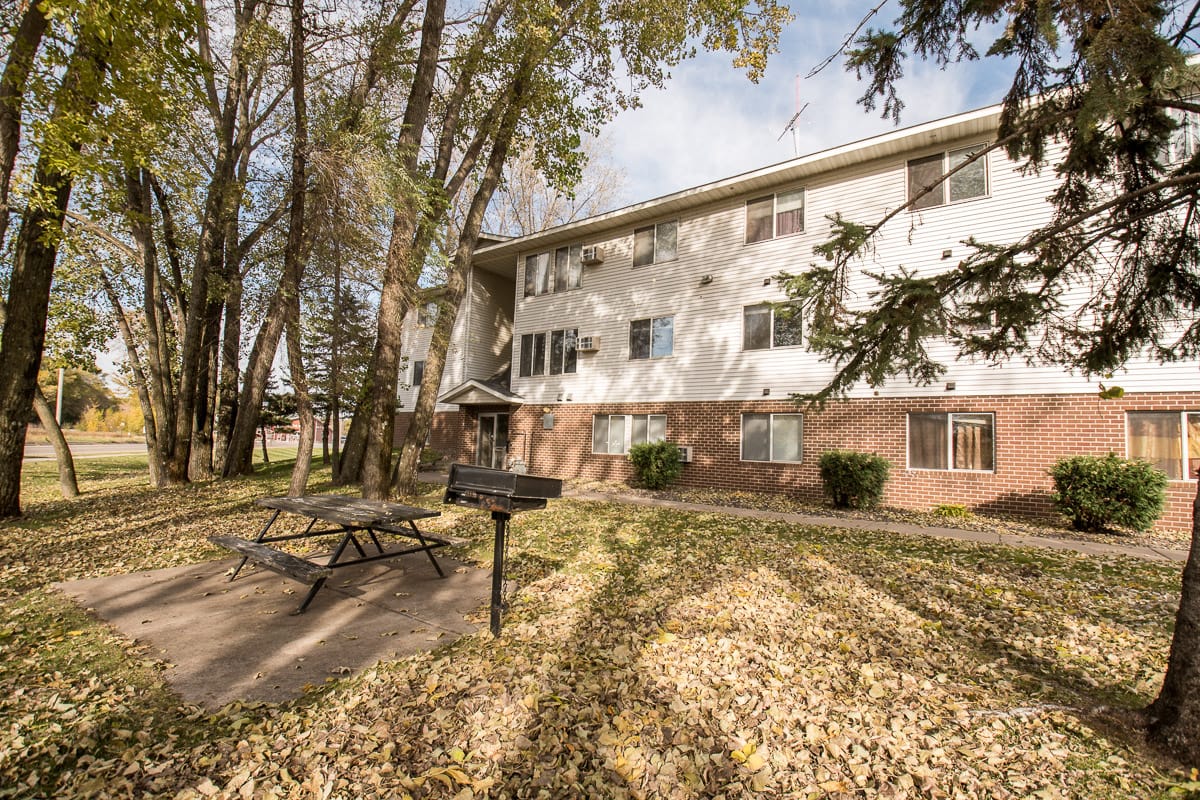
(1175, 715)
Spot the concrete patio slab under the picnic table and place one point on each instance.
(241, 642)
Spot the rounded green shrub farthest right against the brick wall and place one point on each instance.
(1099, 494)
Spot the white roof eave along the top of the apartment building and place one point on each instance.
(502, 257)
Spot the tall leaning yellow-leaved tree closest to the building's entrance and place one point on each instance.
(559, 83)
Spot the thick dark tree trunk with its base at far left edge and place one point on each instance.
(33, 269)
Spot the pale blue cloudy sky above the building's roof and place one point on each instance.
(712, 123)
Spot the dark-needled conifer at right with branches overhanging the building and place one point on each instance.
(1101, 95)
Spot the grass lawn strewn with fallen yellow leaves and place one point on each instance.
(647, 654)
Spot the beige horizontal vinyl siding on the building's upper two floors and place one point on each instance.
(709, 363)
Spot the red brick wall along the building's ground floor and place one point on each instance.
(1031, 435)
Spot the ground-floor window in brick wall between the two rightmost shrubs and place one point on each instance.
(952, 442)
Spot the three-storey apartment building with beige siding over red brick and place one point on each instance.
(662, 321)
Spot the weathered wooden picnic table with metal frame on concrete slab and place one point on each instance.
(358, 522)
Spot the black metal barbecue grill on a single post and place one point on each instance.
(502, 494)
